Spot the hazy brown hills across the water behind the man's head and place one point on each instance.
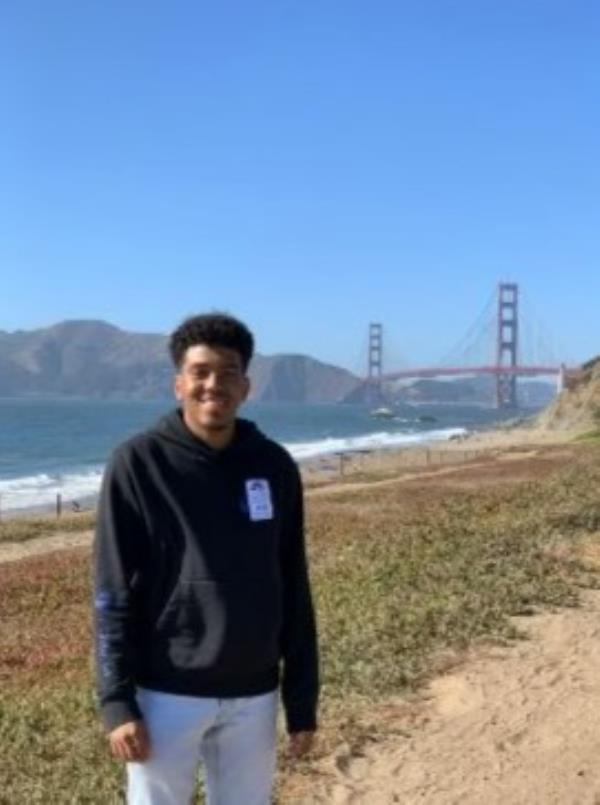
(96, 359)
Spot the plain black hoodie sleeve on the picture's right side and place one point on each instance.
(300, 684)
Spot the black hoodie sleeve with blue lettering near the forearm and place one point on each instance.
(116, 558)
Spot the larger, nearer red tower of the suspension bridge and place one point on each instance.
(507, 344)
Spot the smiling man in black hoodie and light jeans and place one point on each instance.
(201, 588)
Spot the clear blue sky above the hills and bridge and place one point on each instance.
(309, 166)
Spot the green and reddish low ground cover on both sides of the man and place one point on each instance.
(405, 577)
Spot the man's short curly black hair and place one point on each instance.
(214, 330)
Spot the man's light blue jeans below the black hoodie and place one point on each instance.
(234, 739)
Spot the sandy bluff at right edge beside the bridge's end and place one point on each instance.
(578, 406)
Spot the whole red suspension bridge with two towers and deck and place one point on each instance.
(504, 365)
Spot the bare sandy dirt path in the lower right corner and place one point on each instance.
(514, 726)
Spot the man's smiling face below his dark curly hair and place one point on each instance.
(211, 386)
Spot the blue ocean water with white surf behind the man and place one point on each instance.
(61, 446)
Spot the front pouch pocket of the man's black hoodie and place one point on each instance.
(230, 627)
